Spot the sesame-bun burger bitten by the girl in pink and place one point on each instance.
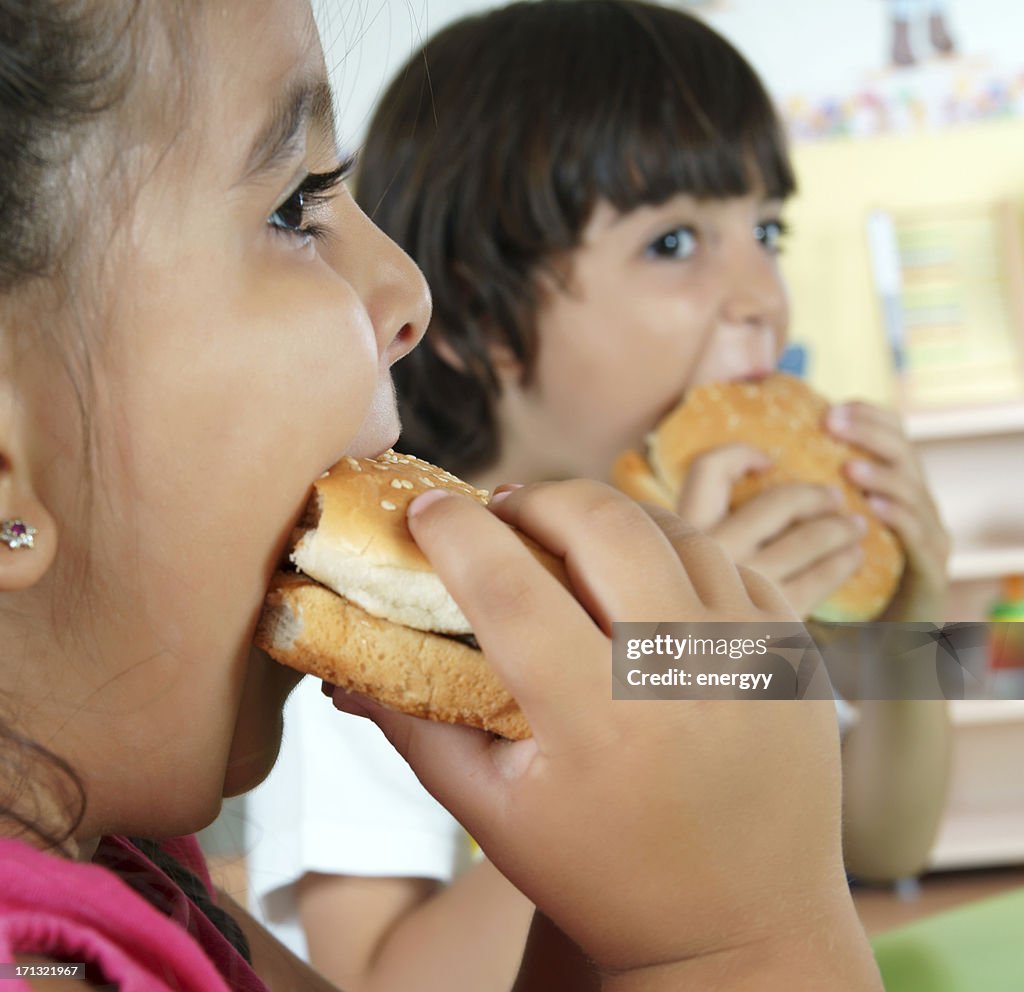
(362, 609)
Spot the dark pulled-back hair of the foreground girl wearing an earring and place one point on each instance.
(65, 65)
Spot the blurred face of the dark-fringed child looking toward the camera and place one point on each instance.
(657, 300)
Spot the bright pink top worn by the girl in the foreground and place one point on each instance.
(71, 912)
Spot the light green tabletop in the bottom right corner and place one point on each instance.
(974, 948)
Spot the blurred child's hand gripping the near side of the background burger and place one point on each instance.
(794, 535)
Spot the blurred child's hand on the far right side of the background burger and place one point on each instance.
(899, 493)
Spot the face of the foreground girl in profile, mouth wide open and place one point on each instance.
(246, 352)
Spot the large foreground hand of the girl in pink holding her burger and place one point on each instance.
(653, 832)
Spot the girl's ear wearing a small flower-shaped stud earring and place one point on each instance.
(28, 532)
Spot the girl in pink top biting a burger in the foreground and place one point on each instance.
(196, 323)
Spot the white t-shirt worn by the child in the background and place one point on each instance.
(340, 801)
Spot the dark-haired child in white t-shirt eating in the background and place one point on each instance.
(593, 191)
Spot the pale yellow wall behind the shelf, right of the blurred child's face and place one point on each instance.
(827, 262)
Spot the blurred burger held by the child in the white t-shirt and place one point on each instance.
(785, 418)
